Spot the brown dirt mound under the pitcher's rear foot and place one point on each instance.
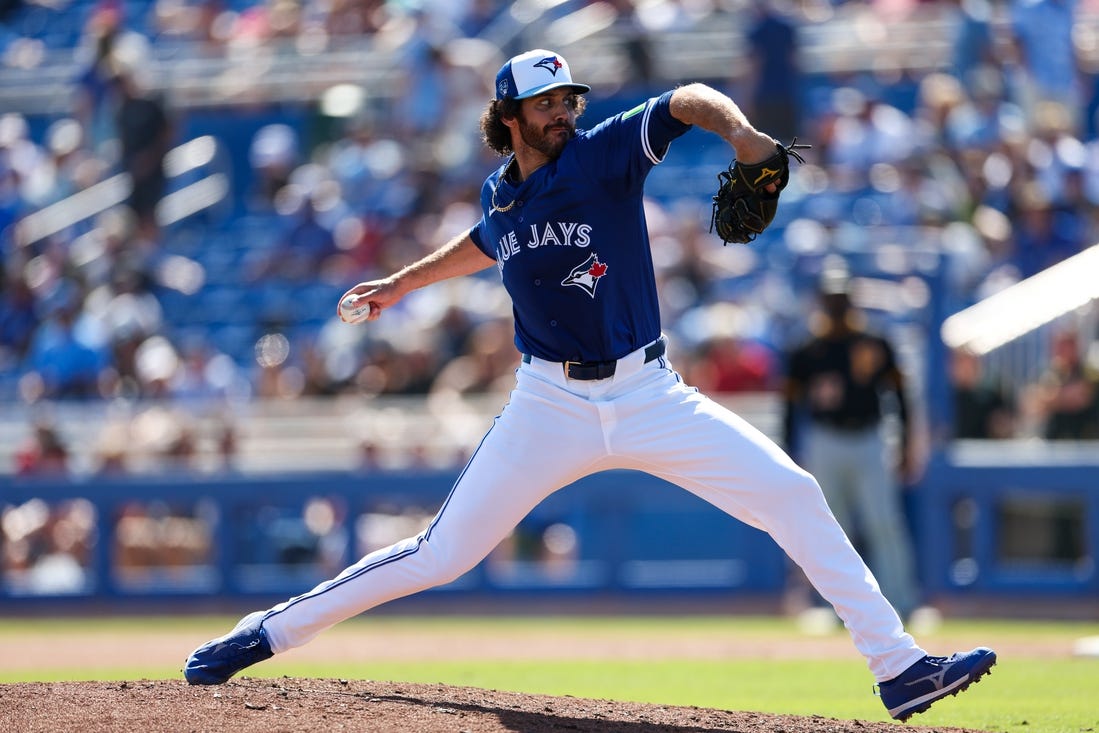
(267, 706)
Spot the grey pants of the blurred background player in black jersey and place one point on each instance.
(853, 471)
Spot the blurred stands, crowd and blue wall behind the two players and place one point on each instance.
(188, 186)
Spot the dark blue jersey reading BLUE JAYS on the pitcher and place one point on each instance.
(574, 250)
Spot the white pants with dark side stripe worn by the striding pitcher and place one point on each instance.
(554, 431)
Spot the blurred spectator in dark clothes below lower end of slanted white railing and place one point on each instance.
(982, 410)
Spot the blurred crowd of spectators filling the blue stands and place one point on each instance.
(993, 161)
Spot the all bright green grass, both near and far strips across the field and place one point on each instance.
(1029, 692)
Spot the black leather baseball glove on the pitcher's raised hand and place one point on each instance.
(743, 207)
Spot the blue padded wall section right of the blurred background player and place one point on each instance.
(1012, 526)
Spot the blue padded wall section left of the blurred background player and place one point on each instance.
(195, 538)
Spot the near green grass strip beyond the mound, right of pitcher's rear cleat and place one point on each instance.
(1017, 698)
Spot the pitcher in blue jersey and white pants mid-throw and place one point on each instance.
(564, 224)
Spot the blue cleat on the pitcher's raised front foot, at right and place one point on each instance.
(933, 679)
